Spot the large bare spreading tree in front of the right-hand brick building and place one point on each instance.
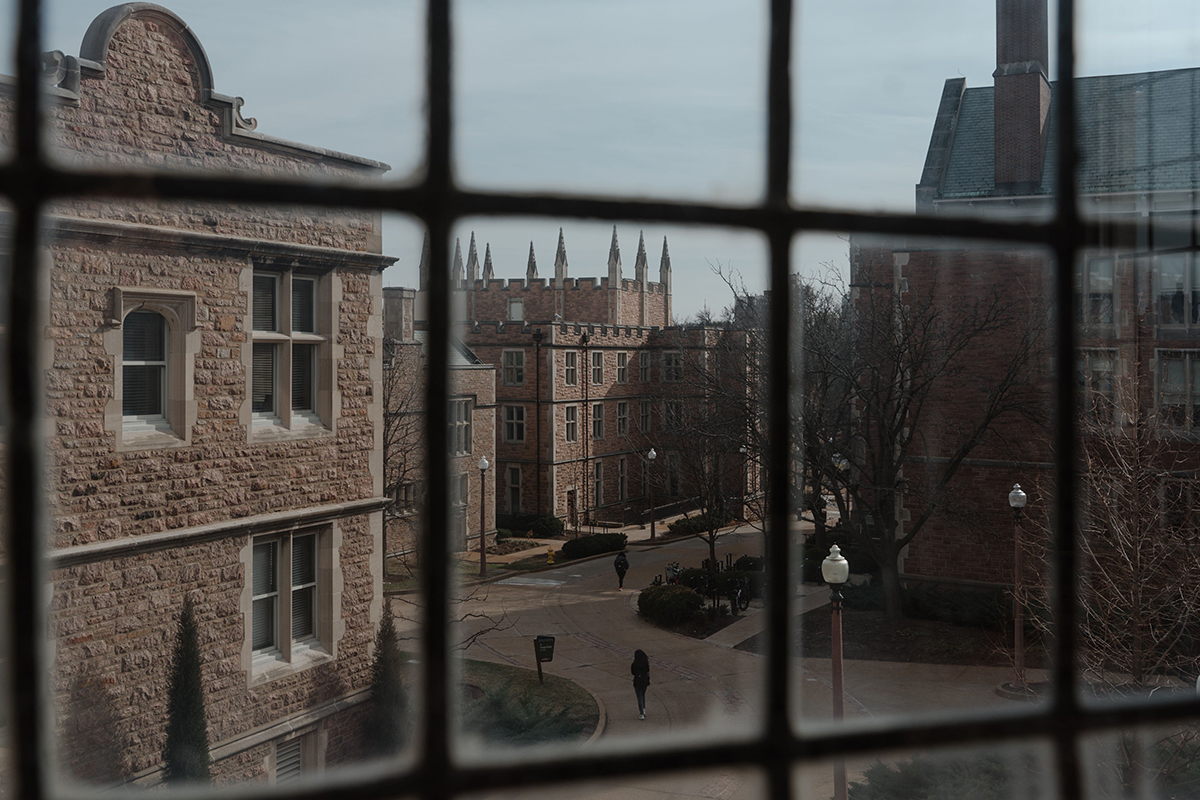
(881, 376)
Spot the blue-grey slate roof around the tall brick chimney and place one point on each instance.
(1137, 133)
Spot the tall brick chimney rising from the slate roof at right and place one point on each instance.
(1022, 95)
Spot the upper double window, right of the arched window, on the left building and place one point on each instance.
(285, 353)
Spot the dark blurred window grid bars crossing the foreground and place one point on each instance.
(31, 181)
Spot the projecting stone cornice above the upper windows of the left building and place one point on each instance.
(130, 233)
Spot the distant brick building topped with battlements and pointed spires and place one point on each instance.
(590, 377)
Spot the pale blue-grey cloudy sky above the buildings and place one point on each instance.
(647, 98)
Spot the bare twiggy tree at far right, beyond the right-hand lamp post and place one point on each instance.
(1139, 563)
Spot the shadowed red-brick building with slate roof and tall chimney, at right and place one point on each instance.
(1137, 294)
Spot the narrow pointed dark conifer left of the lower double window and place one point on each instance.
(187, 754)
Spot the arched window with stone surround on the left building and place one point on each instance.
(145, 370)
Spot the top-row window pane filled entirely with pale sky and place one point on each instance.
(583, 101)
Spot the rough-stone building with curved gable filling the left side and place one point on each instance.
(213, 380)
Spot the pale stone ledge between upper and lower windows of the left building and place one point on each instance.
(271, 524)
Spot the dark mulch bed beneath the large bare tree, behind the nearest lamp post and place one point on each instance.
(872, 636)
